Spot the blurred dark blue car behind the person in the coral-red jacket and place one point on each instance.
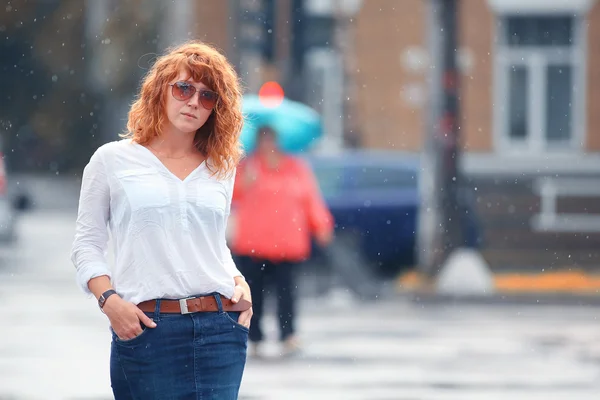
(374, 198)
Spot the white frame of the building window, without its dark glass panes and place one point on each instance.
(537, 59)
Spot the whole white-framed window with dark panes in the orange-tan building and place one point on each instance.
(539, 83)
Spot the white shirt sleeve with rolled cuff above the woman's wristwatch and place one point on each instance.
(89, 249)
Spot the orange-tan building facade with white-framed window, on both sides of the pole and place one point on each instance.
(530, 82)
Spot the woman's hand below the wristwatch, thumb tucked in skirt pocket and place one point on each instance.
(125, 318)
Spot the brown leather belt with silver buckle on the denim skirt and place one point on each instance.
(194, 304)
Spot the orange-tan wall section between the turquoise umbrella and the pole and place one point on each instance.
(385, 30)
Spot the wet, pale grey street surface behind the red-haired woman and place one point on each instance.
(54, 342)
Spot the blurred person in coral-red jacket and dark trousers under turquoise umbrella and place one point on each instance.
(278, 207)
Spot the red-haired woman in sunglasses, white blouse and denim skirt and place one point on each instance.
(178, 307)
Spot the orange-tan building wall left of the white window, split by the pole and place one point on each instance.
(392, 116)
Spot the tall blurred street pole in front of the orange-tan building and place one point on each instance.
(440, 221)
